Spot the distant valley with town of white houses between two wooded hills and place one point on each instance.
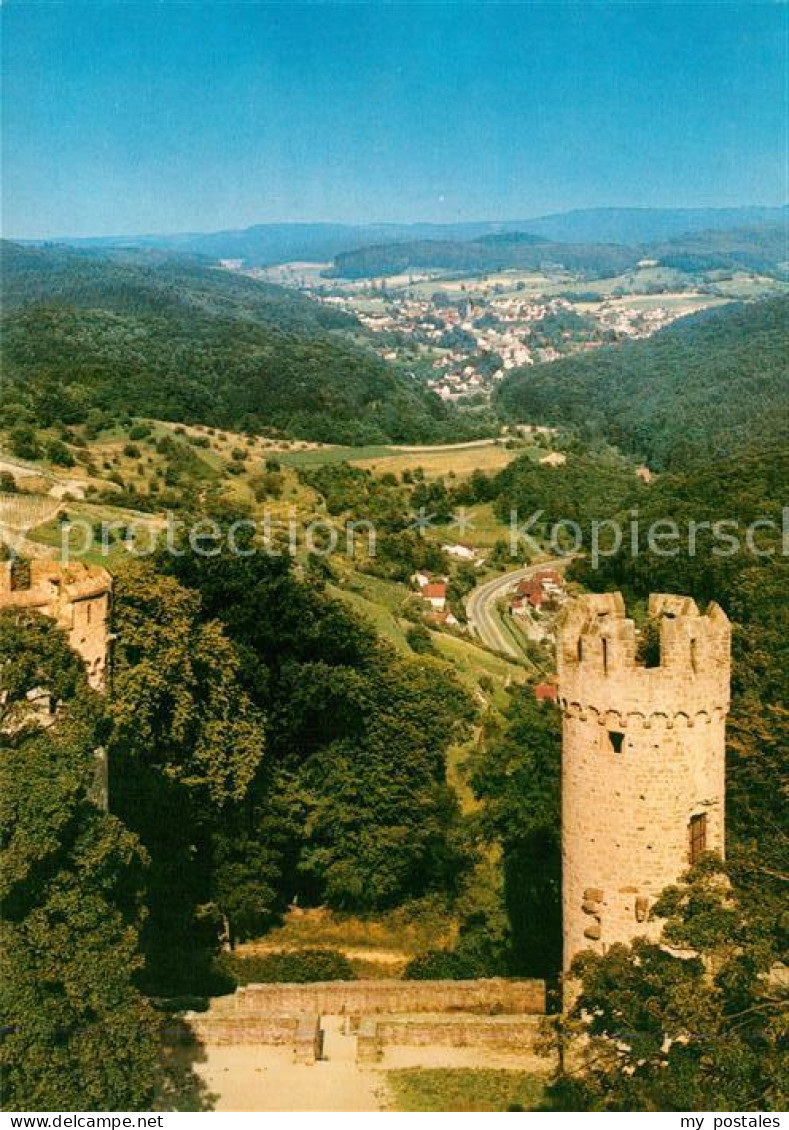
(463, 332)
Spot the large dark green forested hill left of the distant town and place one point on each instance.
(186, 343)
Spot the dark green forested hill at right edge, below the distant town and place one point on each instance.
(705, 388)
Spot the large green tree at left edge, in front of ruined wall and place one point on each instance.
(77, 1033)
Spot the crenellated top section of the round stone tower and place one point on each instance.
(601, 667)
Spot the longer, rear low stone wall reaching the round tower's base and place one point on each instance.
(366, 998)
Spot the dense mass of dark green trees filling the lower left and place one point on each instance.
(265, 747)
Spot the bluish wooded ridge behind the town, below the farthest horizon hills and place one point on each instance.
(758, 249)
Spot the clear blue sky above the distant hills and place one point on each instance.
(162, 117)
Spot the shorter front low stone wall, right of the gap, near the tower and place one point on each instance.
(499, 1033)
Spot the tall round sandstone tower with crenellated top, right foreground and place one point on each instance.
(643, 761)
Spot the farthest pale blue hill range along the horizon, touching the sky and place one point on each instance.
(274, 244)
